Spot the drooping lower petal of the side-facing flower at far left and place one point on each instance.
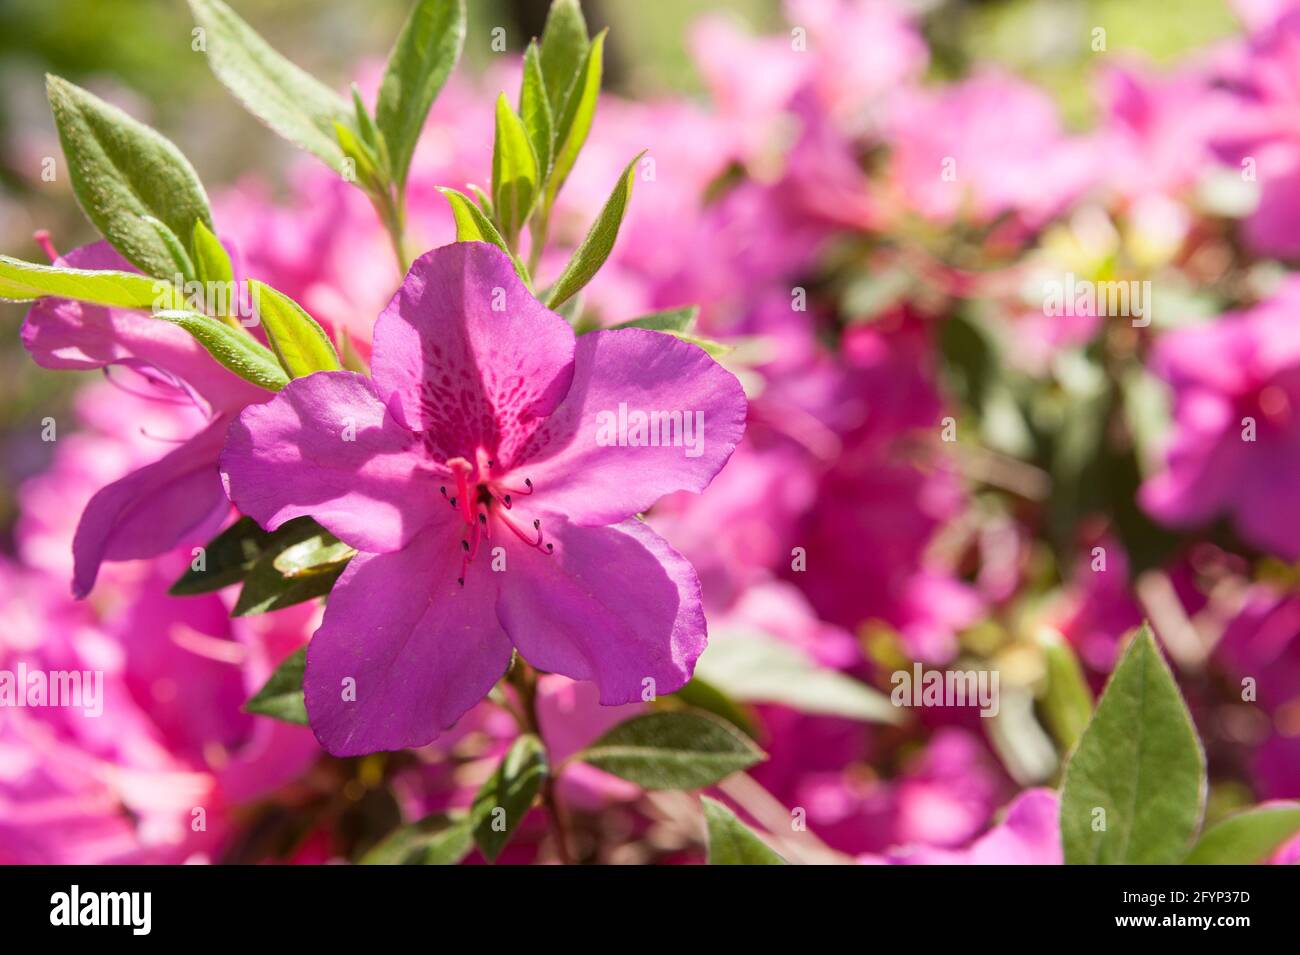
(151, 510)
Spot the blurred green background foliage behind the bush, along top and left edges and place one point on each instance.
(140, 54)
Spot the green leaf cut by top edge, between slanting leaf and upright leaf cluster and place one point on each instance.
(422, 60)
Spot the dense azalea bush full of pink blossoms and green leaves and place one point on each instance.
(851, 468)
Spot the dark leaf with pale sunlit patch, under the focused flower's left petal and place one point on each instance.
(311, 570)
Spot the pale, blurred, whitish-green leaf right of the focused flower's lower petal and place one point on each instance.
(755, 667)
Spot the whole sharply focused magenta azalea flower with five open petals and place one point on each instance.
(482, 431)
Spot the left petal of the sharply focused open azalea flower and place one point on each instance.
(326, 446)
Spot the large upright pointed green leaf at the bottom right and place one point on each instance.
(1141, 763)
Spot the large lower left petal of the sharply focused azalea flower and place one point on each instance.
(419, 649)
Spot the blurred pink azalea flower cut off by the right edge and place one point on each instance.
(1240, 372)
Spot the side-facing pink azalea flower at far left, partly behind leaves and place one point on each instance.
(153, 509)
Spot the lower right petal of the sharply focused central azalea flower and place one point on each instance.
(616, 606)
